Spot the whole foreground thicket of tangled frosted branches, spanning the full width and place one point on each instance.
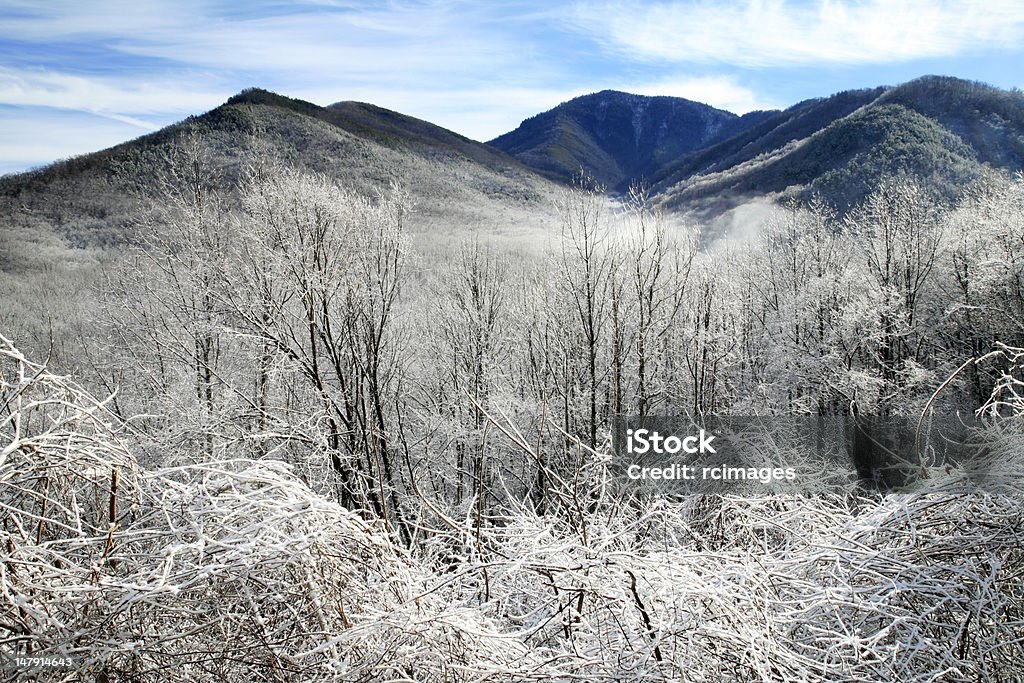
(237, 571)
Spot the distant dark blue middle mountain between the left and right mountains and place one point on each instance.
(617, 138)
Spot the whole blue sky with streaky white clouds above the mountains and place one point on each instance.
(77, 77)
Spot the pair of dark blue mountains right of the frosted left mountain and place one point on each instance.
(945, 132)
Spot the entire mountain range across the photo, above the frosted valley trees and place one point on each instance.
(694, 157)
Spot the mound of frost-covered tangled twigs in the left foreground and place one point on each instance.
(224, 572)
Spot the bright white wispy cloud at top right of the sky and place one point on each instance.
(780, 33)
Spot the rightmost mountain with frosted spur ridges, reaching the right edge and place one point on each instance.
(945, 132)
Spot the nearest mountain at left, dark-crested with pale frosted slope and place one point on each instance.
(454, 183)
